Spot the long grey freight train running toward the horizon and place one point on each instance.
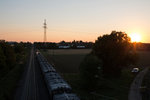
(58, 88)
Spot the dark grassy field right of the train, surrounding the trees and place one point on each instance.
(67, 61)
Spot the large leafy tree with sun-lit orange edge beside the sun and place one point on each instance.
(116, 51)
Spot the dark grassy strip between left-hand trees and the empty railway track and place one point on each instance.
(9, 82)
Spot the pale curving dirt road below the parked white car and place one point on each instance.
(134, 93)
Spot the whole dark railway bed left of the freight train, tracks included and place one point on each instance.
(32, 85)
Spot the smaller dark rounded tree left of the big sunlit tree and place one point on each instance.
(90, 71)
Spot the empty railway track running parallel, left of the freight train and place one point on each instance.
(30, 91)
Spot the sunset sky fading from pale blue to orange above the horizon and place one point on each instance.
(22, 20)
